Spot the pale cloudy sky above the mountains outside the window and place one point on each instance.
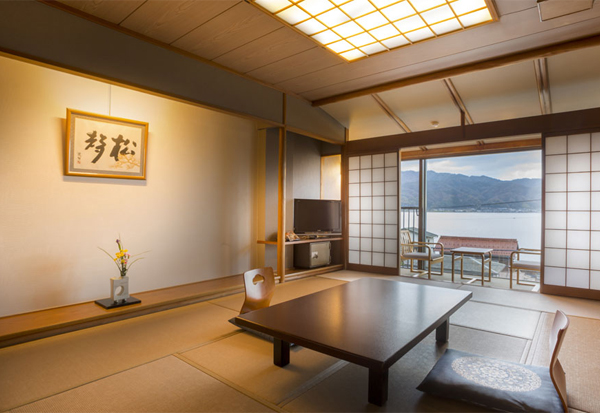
(503, 166)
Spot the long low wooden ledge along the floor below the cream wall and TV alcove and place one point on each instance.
(22, 328)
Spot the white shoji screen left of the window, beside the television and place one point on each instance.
(373, 212)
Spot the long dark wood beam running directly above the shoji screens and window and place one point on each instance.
(549, 124)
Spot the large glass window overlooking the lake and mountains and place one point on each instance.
(480, 201)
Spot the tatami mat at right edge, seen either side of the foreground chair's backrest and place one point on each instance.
(579, 357)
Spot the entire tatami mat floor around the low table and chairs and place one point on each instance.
(190, 359)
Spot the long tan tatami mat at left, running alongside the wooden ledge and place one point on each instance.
(45, 367)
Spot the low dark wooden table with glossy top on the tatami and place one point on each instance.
(370, 322)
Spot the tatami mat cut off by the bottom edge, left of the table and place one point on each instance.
(165, 385)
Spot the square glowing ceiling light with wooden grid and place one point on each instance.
(356, 29)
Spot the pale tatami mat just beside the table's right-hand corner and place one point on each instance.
(497, 319)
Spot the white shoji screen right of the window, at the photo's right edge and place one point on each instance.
(572, 214)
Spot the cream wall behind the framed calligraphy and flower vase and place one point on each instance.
(194, 213)
